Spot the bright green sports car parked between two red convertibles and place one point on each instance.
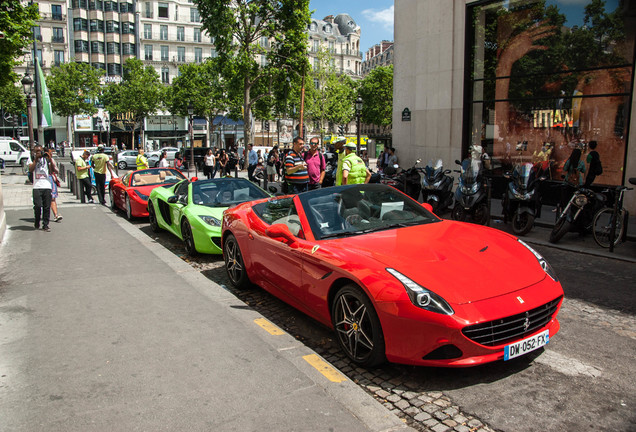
(193, 211)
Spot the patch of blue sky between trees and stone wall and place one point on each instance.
(375, 17)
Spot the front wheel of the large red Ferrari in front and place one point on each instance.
(357, 327)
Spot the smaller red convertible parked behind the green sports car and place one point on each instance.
(130, 192)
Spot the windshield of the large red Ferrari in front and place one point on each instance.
(360, 209)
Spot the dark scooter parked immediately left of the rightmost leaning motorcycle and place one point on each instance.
(522, 201)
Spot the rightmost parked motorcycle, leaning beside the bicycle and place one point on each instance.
(578, 213)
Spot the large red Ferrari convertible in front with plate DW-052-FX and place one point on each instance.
(393, 280)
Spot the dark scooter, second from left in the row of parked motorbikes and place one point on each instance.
(471, 196)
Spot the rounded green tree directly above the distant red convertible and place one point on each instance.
(139, 94)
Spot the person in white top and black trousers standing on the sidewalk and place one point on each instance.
(41, 169)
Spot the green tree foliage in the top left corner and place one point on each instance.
(16, 22)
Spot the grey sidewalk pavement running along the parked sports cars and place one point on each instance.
(103, 329)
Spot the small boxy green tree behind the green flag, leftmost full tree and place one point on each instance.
(73, 88)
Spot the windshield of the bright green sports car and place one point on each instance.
(225, 192)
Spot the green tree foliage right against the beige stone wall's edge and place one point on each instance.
(376, 91)
